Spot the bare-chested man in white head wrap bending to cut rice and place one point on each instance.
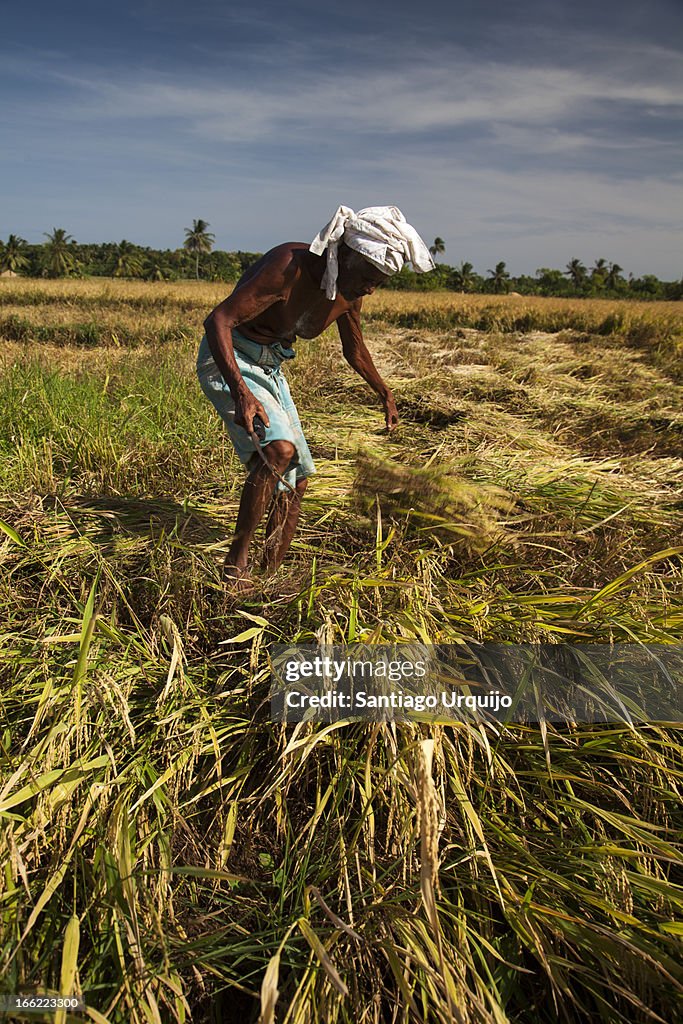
(295, 290)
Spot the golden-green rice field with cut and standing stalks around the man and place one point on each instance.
(170, 855)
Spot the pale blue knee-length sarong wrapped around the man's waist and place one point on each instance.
(261, 367)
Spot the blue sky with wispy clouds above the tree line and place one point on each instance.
(532, 133)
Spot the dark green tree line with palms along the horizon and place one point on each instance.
(62, 257)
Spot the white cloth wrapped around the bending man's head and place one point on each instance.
(381, 234)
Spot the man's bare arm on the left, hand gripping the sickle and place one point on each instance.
(267, 287)
